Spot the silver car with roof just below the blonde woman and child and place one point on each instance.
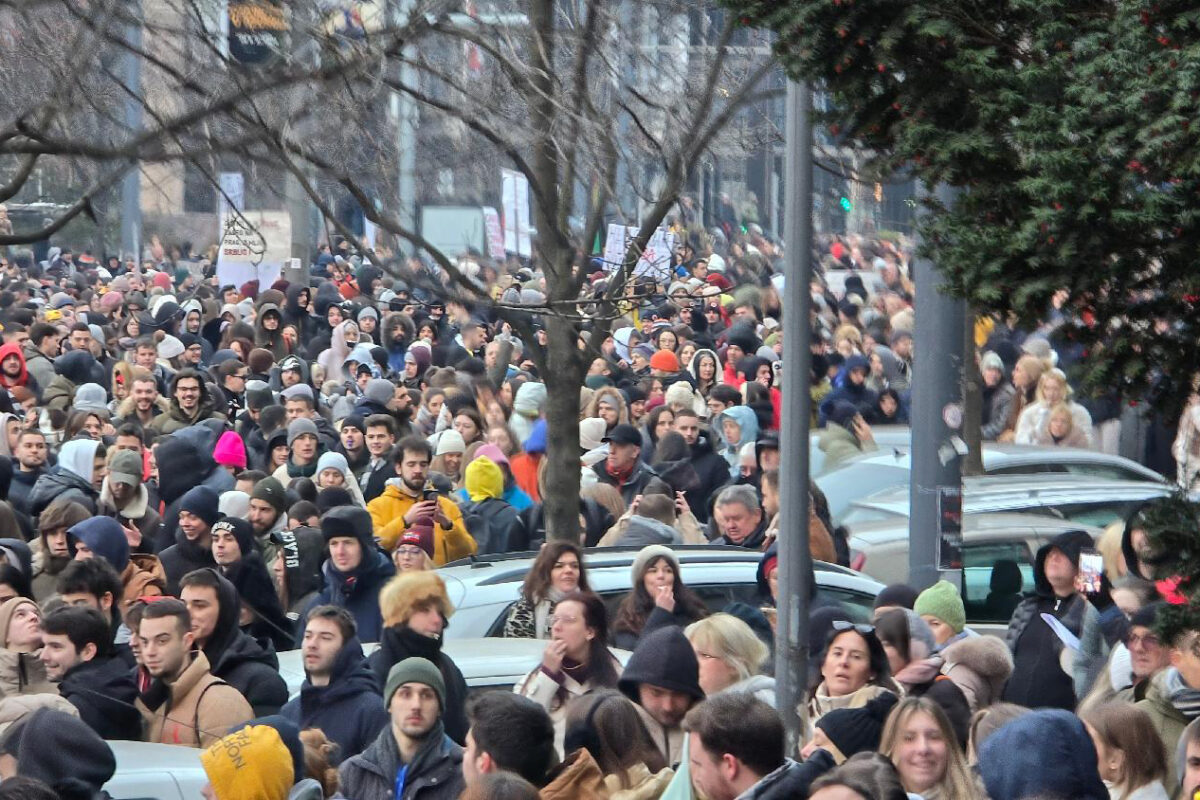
(891, 467)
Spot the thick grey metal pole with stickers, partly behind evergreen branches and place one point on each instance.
(937, 414)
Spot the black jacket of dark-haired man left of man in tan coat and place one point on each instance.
(104, 693)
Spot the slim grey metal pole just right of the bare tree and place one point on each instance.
(795, 562)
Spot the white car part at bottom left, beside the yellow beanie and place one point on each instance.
(152, 771)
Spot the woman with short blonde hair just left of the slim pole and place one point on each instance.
(730, 657)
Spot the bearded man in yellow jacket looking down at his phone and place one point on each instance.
(409, 498)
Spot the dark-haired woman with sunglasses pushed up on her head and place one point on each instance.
(854, 671)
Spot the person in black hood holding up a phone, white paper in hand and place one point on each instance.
(1039, 679)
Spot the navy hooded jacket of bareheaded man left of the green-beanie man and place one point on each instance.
(350, 711)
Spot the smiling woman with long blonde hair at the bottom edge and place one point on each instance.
(922, 747)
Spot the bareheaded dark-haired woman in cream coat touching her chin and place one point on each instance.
(577, 661)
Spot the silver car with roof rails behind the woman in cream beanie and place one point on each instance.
(484, 590)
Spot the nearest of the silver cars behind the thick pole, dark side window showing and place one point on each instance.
(998, 558)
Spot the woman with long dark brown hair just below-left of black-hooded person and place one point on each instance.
(608, 726)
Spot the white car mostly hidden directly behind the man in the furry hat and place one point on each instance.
(485, 664)
